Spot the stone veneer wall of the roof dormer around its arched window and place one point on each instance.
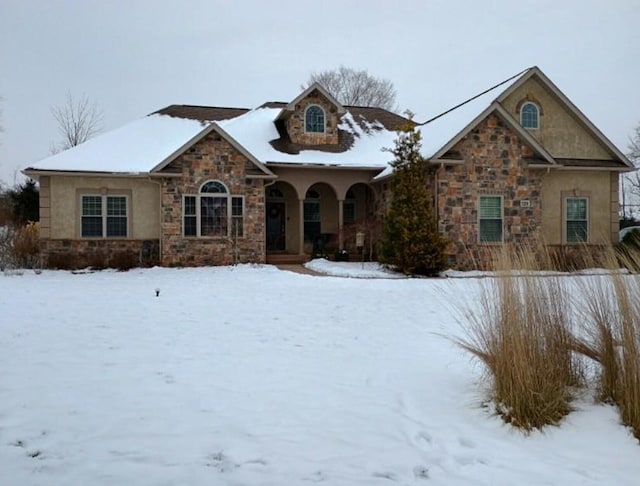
(295, 122)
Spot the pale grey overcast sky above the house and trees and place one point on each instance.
(134, 57)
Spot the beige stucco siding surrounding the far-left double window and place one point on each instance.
(143, 204)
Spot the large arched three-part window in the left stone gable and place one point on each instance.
(213, 212)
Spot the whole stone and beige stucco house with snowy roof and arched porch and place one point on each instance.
(190, 185)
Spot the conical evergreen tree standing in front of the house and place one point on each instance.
(411, 241)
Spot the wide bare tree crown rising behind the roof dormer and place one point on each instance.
(356, 87)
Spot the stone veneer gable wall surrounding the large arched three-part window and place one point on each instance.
(212, 158)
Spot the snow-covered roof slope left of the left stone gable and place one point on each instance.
(136, 147)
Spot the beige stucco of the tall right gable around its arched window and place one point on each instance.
(560, 132)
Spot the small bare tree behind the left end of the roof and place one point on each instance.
(78, 121)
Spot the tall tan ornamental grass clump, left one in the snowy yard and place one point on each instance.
(520, 333)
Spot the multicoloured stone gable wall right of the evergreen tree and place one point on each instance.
(493, 165)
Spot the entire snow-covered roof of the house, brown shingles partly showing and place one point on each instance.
(146, 144)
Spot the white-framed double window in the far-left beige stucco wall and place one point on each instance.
(103, 216)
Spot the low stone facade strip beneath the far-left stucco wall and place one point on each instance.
(98, 253)
